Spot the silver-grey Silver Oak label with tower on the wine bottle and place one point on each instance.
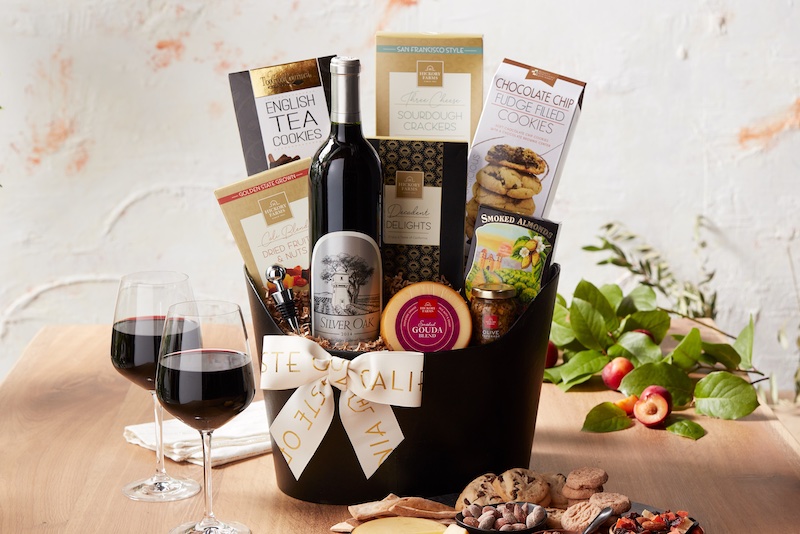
(346, 287)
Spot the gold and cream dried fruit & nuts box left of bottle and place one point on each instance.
(268, 217)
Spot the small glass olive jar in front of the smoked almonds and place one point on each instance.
(494, 309)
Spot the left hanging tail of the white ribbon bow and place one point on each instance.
(302, 424)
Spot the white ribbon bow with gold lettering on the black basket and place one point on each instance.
(369, 383)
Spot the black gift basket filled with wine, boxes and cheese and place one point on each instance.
(428, 258)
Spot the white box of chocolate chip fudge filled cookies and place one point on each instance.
(525, 130)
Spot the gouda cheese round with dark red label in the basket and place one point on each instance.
(426, 317)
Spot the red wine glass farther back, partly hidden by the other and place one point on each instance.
(142, 302)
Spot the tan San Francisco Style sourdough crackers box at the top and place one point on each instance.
(428, 85)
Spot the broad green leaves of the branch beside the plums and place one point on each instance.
(602, 323)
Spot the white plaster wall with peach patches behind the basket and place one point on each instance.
(117, 125)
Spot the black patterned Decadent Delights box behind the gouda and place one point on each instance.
(424, 185)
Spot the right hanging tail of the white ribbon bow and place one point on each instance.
(372, 428)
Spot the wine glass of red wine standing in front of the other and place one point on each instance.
(205, 386)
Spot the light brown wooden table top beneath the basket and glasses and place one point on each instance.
(64, 460)
